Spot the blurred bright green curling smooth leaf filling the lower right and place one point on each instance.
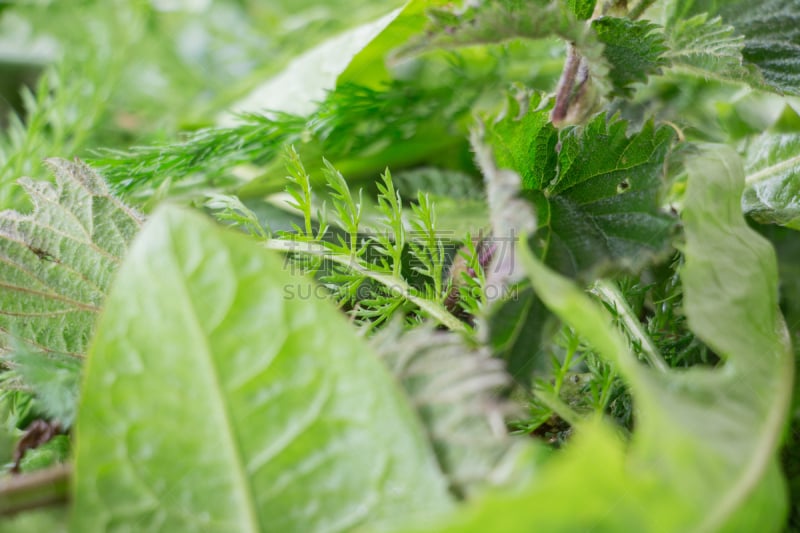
(702, 455)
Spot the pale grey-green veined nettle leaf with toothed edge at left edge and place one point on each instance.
(56, 262)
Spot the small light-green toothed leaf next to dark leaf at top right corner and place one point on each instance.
(708, 46)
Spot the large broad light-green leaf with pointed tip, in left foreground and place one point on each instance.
(221, 395)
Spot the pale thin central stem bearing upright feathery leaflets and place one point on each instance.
(397, 285)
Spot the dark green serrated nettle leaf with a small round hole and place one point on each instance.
(598, 197)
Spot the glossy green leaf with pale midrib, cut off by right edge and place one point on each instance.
(773, 180)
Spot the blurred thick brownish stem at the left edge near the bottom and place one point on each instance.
(31, 491)
